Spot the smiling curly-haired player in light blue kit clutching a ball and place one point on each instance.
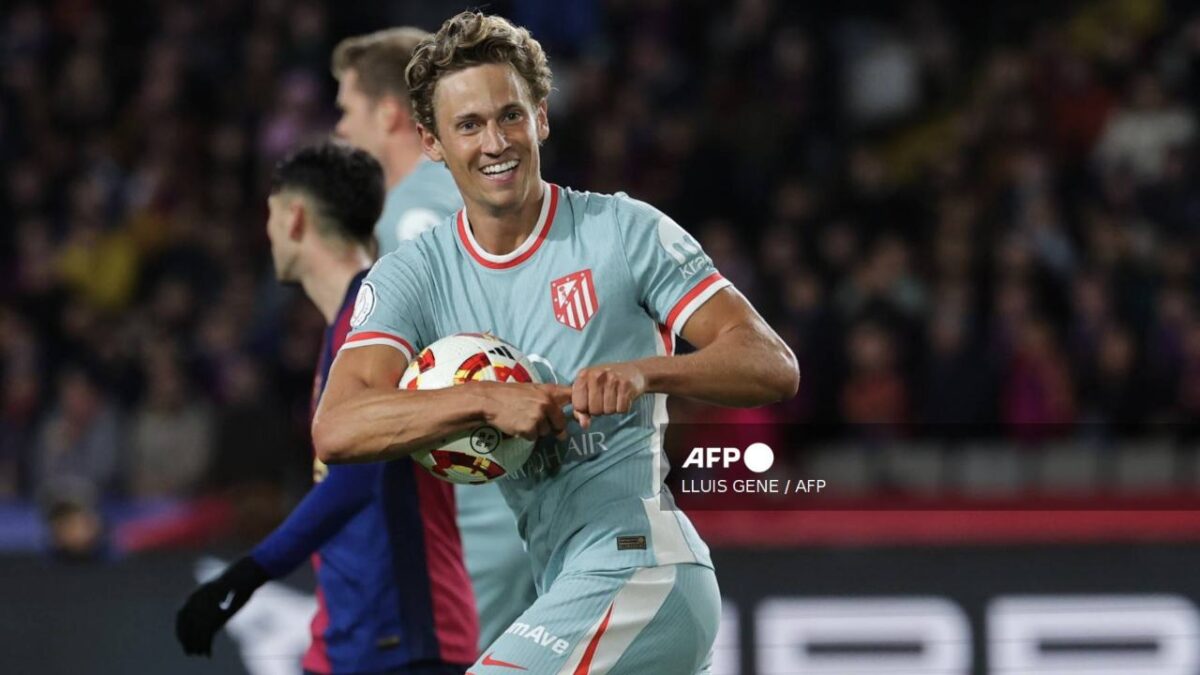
(595, 289)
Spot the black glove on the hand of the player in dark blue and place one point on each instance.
(214, 604)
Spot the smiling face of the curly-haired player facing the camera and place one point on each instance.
(489, 130)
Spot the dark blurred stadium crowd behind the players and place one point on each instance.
(958, 217)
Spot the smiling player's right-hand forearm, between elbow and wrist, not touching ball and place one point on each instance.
(743, 368)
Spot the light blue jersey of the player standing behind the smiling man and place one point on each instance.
(496, 560)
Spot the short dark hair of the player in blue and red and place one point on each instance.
(345, 183)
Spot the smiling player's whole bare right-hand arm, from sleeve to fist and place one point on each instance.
(740, 361)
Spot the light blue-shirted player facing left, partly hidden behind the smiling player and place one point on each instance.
(377, 117)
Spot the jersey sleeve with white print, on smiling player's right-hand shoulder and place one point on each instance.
(673, 274)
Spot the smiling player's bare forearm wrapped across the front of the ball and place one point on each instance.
(375, 426)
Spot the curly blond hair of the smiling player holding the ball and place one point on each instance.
(475, 39)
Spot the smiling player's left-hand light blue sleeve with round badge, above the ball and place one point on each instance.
(389, 309)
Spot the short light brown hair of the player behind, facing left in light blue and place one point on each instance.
(379, 61)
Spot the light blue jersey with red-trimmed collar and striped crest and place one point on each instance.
(601, 279)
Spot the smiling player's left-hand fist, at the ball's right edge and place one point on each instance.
(526, 410)
